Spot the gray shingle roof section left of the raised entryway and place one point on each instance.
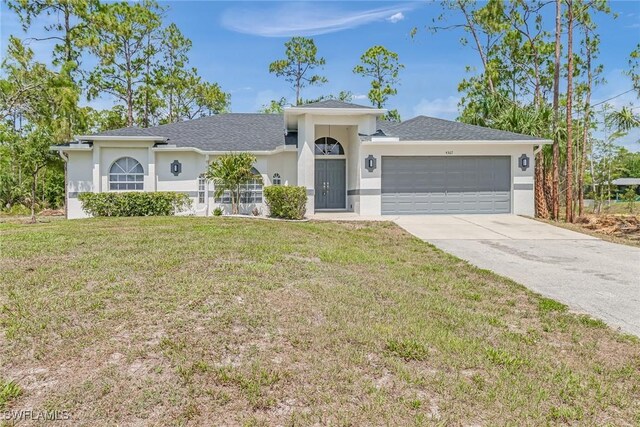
(222, 132)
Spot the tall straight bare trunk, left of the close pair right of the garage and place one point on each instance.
(555, 187)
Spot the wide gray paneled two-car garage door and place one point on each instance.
(446, 185)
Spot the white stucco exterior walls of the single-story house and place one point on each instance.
(88, 167)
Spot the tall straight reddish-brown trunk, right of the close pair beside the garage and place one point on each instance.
(569, 191)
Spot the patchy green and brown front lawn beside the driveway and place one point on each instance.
(180, 321)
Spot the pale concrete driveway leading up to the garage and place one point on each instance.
(588, 274)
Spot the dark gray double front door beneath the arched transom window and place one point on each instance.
(330, 184)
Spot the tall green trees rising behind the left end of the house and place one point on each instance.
(123, 52)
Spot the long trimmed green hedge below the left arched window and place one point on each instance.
(134, 203)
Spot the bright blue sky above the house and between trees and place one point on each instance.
(234, 42)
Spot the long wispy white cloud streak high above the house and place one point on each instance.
(303, 19)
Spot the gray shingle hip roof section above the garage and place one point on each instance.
(423, 128)
